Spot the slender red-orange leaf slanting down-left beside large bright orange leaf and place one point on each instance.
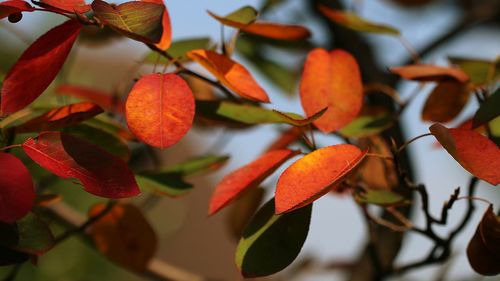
(246, 177)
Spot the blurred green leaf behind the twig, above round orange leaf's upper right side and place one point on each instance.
(178, 50)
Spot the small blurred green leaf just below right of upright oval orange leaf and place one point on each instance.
(367, 125)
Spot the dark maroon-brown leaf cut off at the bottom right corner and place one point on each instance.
(483, 250)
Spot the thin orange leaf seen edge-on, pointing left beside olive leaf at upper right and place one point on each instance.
(428, 72)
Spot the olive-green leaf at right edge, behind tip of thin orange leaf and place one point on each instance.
(480, 71)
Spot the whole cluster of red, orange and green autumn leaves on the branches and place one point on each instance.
(74, 141)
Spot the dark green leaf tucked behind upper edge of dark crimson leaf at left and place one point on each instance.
(105, 140)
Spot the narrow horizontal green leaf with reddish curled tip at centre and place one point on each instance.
(250, 114)
